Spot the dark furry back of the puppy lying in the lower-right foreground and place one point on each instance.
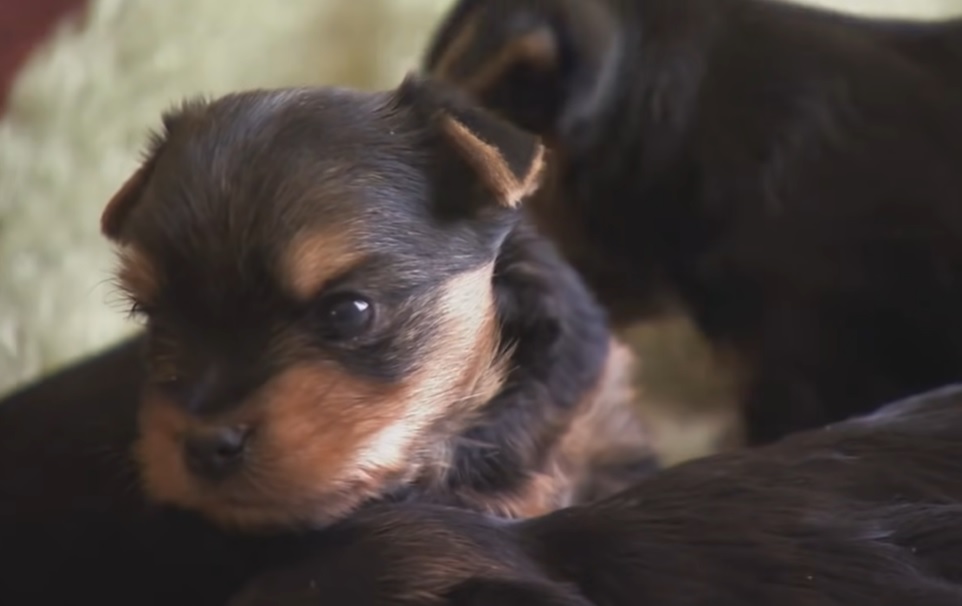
(864, 512)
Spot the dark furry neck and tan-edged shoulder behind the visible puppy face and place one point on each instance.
(563, 391)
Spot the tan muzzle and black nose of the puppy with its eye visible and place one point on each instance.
(288, 458)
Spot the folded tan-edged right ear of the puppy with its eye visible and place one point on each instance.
(507, 160)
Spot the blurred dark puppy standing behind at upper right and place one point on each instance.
(789, 175)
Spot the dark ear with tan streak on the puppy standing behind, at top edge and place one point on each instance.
(547, 65)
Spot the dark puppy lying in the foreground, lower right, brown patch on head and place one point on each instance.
(864, 513)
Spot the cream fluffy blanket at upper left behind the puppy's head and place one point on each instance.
(80, 111)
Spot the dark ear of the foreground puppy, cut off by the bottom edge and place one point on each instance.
(485, 592)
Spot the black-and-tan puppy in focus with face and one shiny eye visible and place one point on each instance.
(343, 305)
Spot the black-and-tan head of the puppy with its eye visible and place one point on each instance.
(314, 270)
